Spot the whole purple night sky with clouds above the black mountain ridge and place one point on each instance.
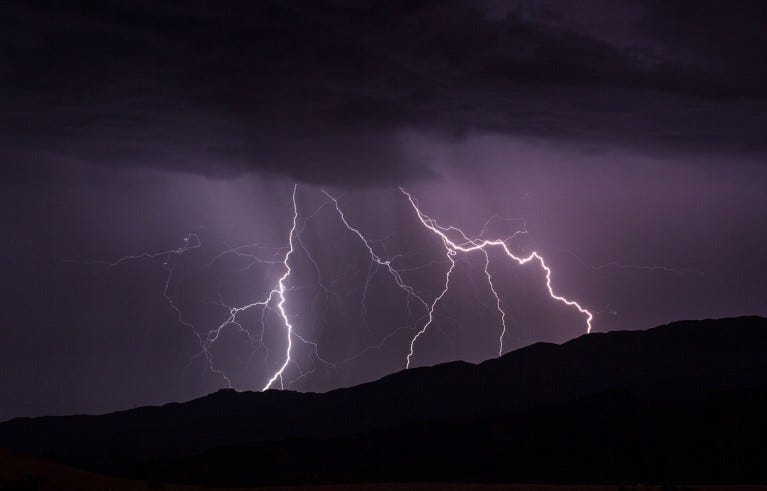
(627, 138)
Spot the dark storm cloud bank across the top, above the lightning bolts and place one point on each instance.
(323, 91)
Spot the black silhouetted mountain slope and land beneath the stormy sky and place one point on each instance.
(678, 404)
